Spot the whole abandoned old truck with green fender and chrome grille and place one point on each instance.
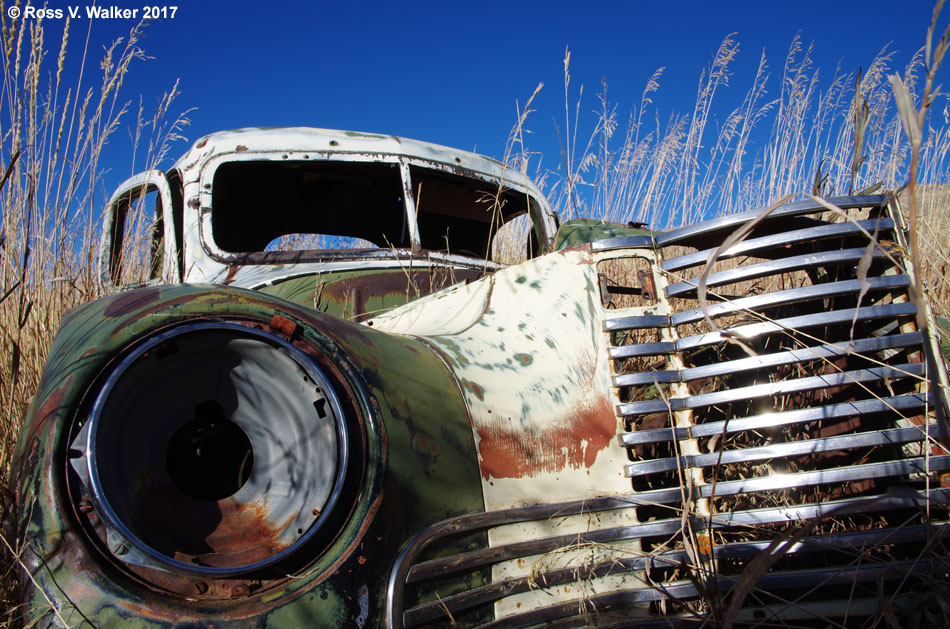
(369, 381)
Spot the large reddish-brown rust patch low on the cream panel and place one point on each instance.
(507, 451)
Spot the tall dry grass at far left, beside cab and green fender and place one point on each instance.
(53, 133)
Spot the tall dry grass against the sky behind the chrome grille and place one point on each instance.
(837, 135)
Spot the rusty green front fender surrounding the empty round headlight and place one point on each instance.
(413, 425)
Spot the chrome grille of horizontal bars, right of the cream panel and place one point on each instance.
(803, 405)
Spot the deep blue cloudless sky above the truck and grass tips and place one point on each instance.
(452, 72)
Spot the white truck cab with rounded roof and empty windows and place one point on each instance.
(350, 223)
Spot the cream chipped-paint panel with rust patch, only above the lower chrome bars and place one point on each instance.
(539, 394)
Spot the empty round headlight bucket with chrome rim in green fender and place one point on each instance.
(212, 449)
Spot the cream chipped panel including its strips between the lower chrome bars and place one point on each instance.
(528, 350)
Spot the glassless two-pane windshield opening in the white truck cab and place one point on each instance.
(299, 206)
